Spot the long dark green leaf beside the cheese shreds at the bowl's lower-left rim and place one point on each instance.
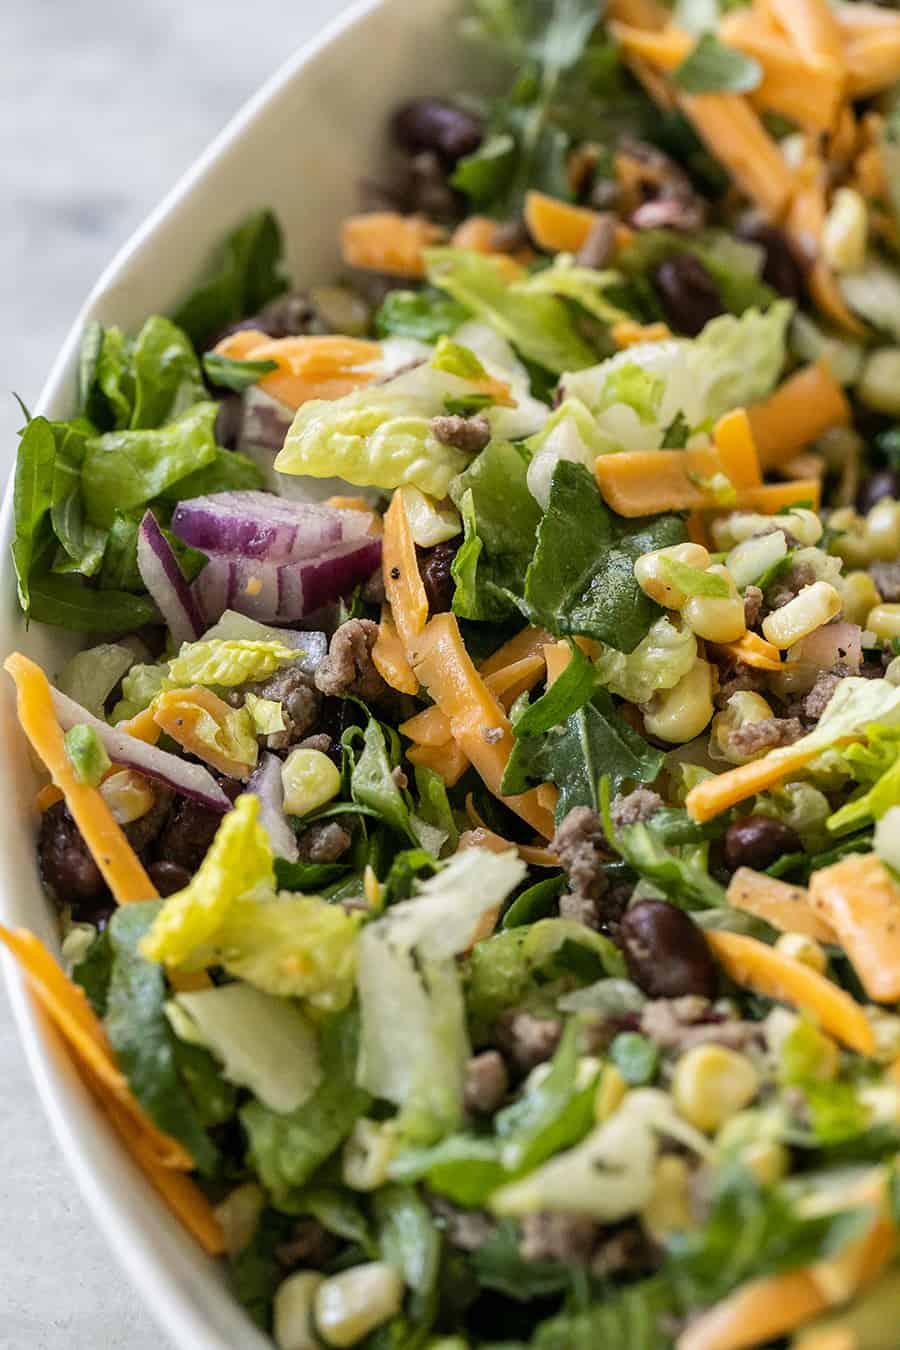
(142, 1039)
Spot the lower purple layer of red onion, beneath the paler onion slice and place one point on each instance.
(284, 593)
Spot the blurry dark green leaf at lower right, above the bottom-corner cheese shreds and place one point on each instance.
(751, 1232)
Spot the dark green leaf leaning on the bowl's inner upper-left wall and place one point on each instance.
(248, 277)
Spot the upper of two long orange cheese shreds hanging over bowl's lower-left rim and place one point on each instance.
(86, 1037)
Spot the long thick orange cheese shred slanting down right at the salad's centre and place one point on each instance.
(478, 723)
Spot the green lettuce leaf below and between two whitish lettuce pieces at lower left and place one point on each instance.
(287, 1150)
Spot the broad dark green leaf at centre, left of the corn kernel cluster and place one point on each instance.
(582, 577)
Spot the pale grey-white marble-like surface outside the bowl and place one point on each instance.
(105, 106)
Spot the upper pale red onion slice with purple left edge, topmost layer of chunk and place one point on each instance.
(261, 526)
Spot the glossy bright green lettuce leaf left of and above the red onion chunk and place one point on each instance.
(125, 470)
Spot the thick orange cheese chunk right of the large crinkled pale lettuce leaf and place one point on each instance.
(802, 410)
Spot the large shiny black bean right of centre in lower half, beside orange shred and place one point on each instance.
(666, 952)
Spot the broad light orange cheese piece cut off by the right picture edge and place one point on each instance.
(860, 900)
